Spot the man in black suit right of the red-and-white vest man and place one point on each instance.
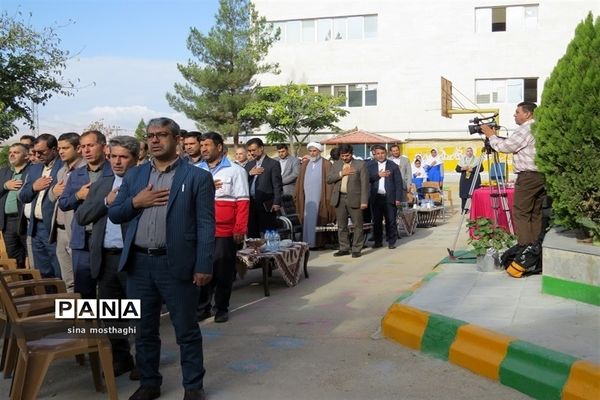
(264, 179)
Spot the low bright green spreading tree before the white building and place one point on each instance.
(294, 112)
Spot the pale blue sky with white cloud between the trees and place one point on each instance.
(125, 54)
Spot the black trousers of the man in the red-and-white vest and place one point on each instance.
(223, 274)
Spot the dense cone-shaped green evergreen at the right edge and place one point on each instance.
(567, 131)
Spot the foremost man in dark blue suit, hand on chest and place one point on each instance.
(167, 253)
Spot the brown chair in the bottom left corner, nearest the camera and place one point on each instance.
(38, 348)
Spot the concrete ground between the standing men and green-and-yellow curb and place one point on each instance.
(314, 341)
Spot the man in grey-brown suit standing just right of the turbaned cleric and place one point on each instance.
(350, 196)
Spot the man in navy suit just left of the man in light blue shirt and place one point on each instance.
(91, 144)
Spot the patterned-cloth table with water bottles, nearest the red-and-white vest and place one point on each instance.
(290, 261)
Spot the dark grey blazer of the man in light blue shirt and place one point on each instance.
(93, 211)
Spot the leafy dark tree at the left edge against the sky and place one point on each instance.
(31, 66)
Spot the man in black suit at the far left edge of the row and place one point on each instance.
(12, 221)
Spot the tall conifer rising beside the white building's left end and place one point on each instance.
(221, 80)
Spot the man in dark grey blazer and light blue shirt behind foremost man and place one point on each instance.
(106, 244)
